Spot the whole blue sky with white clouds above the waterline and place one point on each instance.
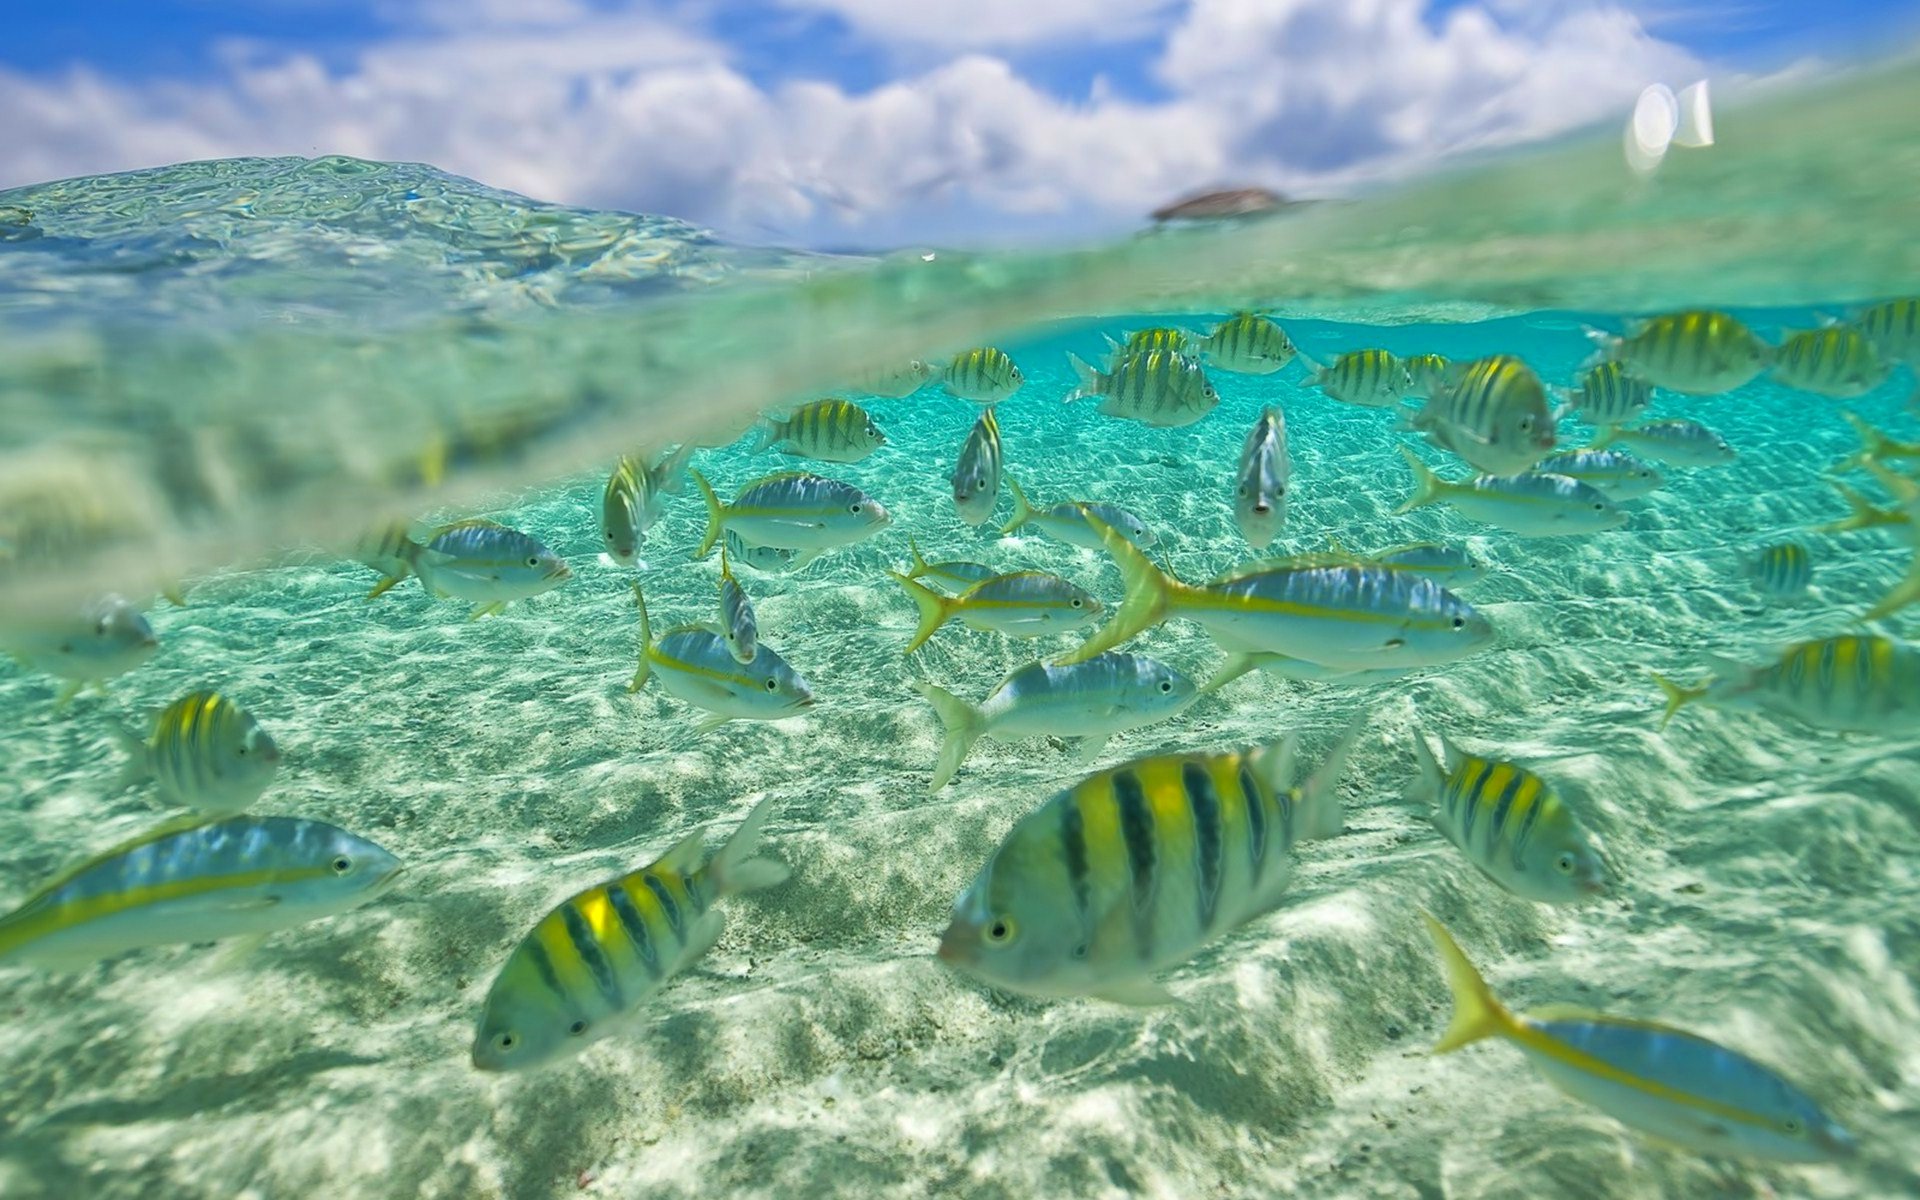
(875, 122)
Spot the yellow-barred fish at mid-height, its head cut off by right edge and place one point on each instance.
(1850, 684)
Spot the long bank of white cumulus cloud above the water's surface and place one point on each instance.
(583, 105)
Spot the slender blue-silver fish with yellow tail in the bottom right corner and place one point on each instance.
(1664, 1082)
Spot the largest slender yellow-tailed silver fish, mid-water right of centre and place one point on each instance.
(1345, 617)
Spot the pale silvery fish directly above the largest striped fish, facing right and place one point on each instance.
(1088, 702)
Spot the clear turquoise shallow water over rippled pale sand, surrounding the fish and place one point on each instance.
(1769, 873)
